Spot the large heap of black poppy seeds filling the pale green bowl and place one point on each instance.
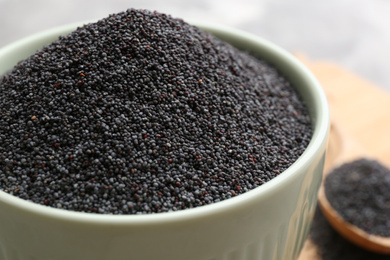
(143, 113)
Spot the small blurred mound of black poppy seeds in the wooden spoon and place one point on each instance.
(360, 192)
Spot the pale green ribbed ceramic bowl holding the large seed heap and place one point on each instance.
(269, 222)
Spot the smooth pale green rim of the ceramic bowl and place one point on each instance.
(315, 146)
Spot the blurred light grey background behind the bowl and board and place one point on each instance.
(353, 33)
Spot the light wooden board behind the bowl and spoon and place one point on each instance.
(360, 116)
